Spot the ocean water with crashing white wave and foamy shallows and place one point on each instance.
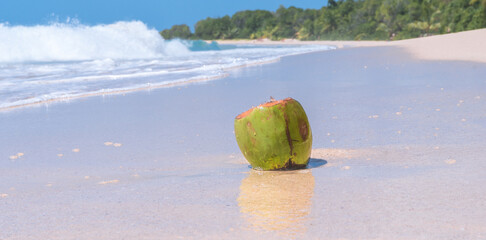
(61, 61)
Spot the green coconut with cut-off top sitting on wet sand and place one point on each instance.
(275, 135)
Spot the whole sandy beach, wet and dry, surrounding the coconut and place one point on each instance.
(398, 153)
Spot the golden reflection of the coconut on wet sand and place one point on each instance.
(277, 201)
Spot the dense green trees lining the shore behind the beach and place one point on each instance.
(343, 20)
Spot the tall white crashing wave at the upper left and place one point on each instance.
(72, 42)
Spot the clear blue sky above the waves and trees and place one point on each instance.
(156, 14)
